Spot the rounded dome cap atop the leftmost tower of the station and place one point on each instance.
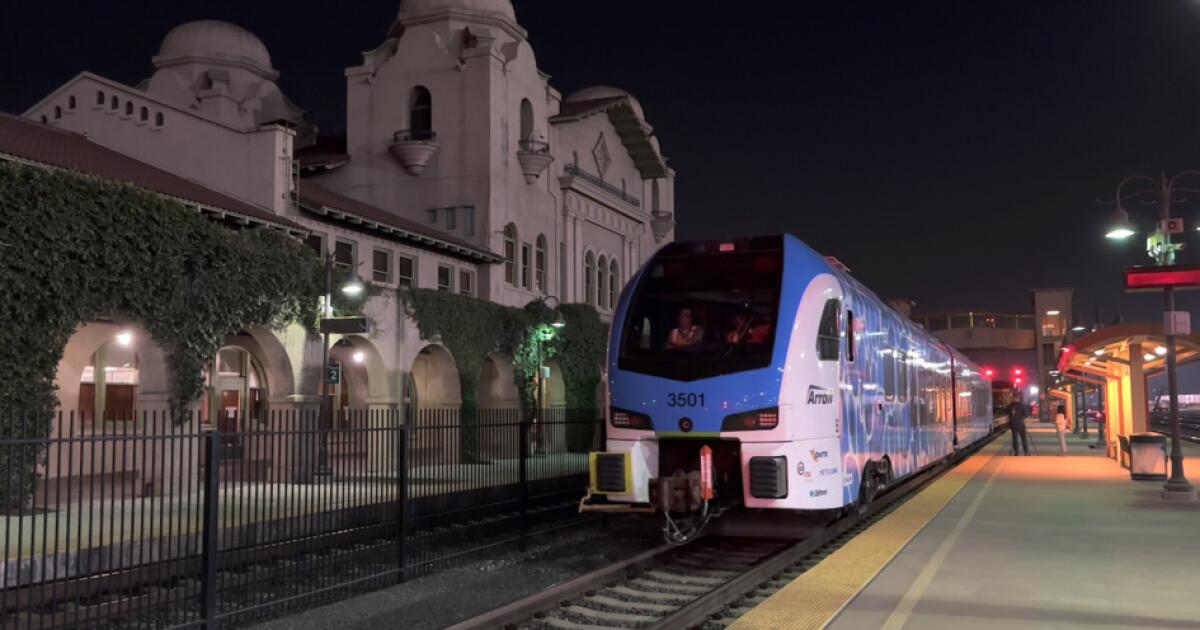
(214, 40)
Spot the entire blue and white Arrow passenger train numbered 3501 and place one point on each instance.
(757, 374)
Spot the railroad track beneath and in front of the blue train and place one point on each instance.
(709, 584)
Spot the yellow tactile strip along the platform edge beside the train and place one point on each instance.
(819, 595)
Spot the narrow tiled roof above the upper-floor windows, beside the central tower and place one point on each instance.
(320, 200)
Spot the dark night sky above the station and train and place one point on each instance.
(951, 153)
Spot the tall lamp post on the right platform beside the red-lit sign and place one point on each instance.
(1159, 247)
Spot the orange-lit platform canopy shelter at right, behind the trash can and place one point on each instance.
(1119, 359)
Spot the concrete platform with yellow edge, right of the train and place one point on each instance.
(1005, 542)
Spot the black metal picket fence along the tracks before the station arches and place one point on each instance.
(148, 523)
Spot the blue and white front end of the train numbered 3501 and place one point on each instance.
(716, 394)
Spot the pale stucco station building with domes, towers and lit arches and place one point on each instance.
(463, 170)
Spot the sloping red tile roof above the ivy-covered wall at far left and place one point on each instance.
(44, 145)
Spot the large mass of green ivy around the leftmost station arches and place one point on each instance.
(75, 249)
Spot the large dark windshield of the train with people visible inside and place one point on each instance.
(704, 315)
